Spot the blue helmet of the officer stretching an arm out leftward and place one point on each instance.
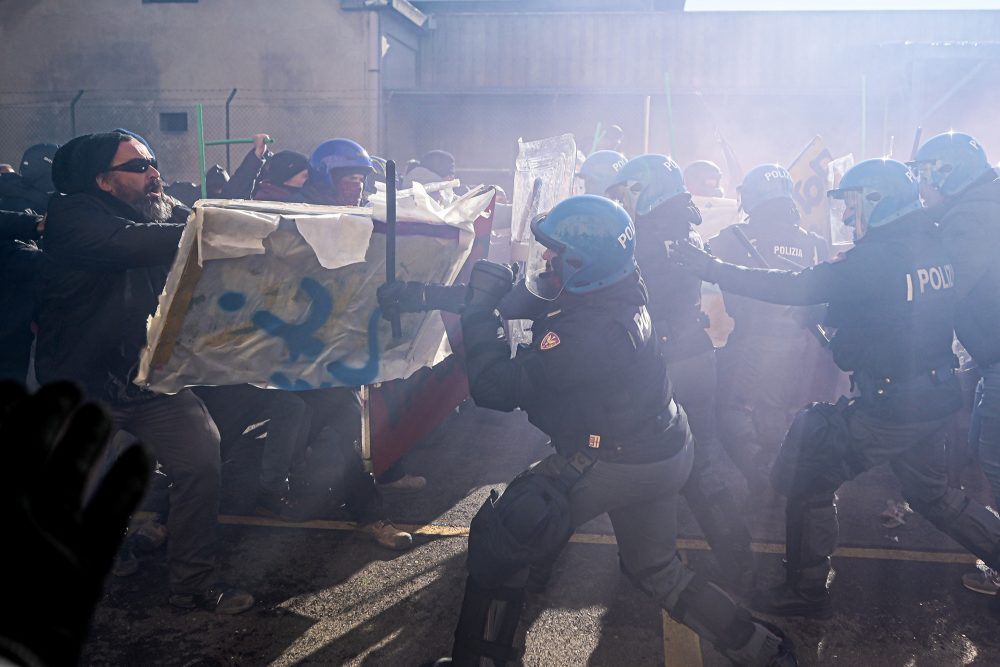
(876, 193)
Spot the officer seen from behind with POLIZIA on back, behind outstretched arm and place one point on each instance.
(764, 359)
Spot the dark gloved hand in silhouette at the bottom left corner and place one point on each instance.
(59, 549)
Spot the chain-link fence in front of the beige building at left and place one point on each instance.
(167, 119)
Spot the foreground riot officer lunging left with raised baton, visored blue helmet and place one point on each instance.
(593, 379)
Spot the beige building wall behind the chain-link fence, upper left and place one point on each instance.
(303, 71)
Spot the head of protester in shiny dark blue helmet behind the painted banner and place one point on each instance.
(337, 172)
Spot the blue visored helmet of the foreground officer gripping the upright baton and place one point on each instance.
(592, 244)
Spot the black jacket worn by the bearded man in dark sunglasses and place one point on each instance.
(104, 272)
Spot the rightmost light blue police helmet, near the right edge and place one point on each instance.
(949, 163)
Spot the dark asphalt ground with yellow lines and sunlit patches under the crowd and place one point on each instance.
(327, 595)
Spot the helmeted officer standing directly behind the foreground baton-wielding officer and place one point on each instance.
(666, 214)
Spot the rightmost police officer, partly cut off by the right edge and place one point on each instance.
(963, 194)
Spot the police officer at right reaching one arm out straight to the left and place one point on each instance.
(891, 300)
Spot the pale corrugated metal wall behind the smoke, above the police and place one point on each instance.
(768, 81)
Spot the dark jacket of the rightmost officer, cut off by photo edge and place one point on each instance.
(970, 226)
